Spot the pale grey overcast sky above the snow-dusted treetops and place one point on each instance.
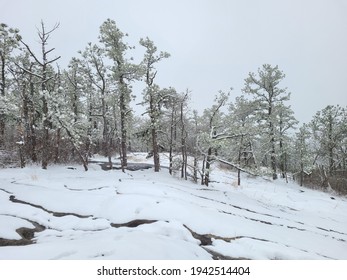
(214, 44)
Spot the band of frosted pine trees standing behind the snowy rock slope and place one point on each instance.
(50, 115)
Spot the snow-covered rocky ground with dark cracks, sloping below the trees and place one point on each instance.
(67, 213)
